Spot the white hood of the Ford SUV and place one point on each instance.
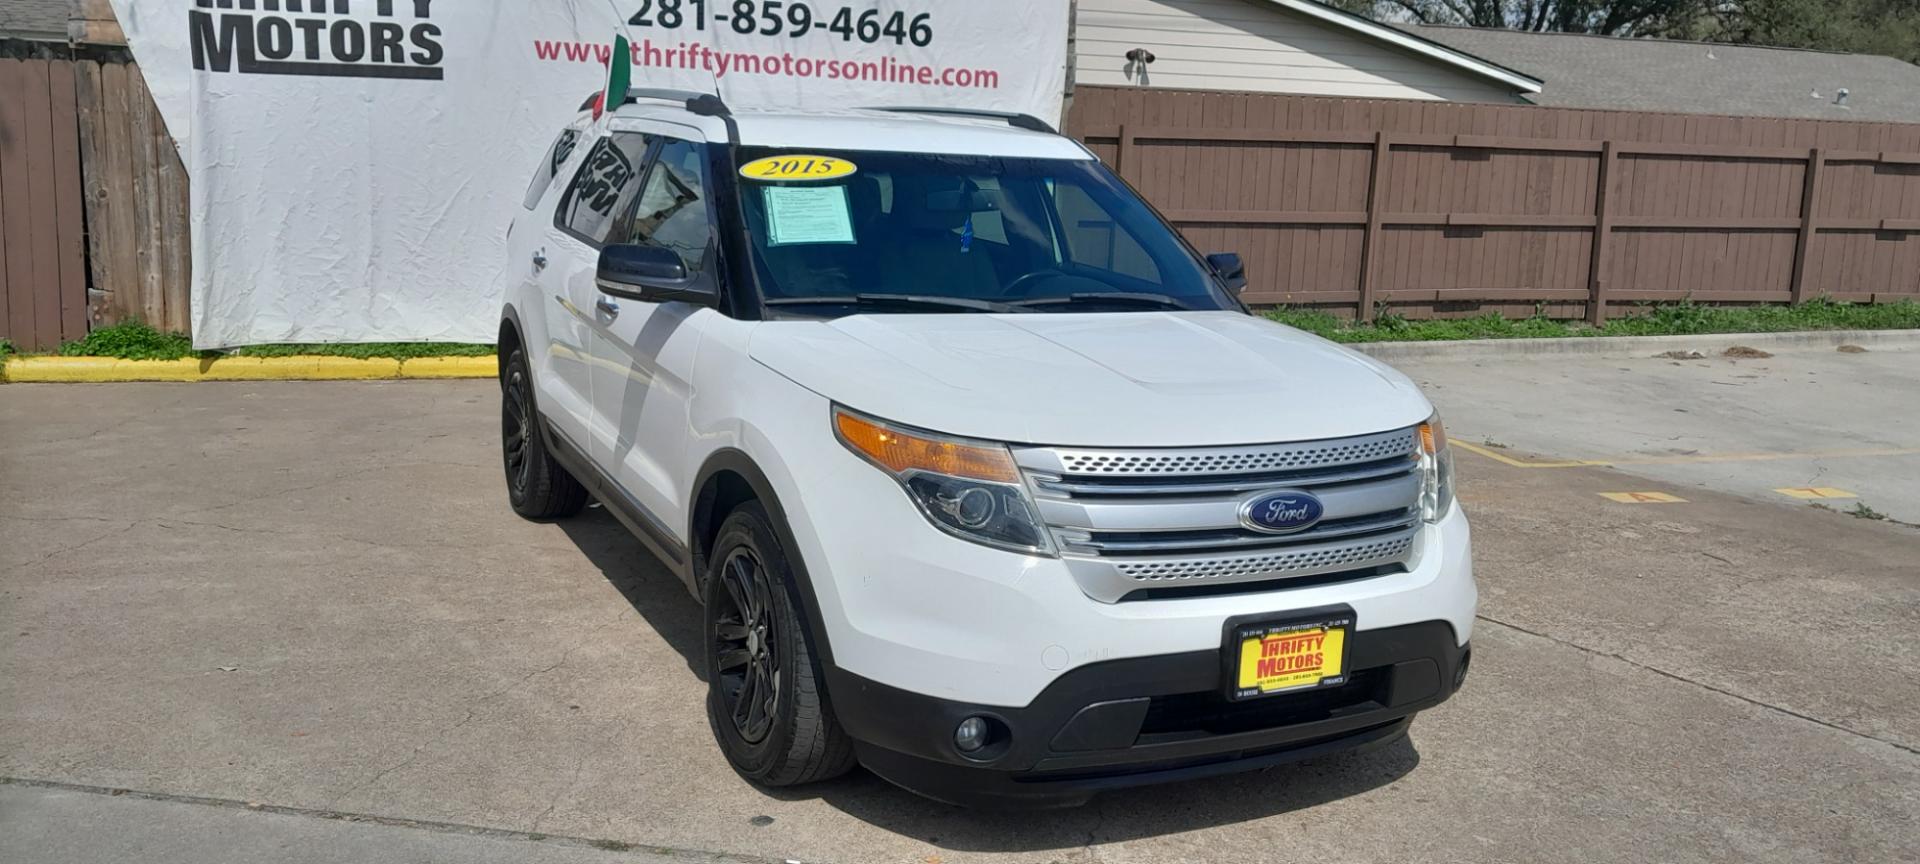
(1095, 379)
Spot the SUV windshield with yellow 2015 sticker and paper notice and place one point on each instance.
(921, 233)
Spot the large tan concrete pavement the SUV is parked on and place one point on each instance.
(314, 598)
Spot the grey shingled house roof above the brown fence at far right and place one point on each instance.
(1696, 78)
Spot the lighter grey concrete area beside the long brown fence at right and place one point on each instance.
(1808, 418)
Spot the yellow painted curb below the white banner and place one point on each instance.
(108, 370)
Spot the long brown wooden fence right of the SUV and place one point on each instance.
(1462, 208)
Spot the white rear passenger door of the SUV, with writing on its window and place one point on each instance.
(600, 191)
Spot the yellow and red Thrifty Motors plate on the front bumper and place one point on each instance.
(1287, 656)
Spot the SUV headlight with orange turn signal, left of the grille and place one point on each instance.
(967, 489)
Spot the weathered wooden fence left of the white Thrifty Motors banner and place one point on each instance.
(93, 201)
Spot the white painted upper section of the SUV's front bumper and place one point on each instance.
(917, 610)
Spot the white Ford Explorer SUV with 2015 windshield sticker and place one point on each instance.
(986, 479)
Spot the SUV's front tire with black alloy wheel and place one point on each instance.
(782, 732)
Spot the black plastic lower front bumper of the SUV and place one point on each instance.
(1145, 721)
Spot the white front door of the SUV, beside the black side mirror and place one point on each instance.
(644, 352)
